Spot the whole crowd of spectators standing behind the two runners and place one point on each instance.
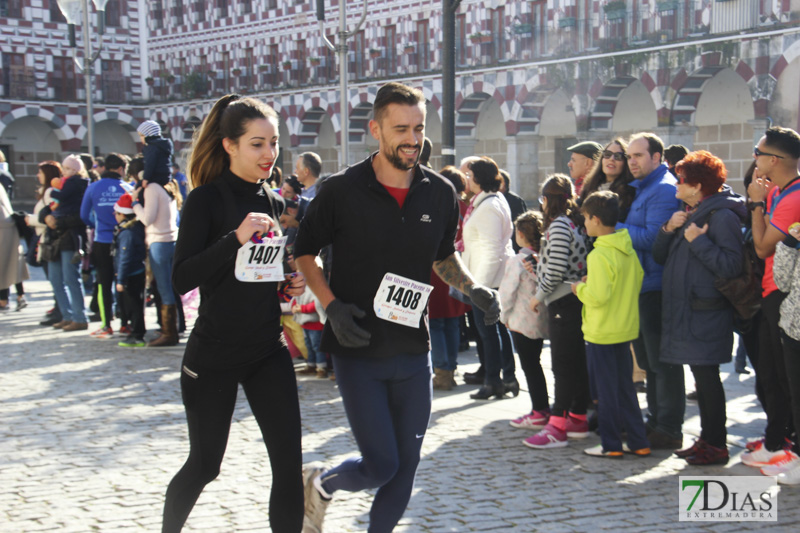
(640, 261)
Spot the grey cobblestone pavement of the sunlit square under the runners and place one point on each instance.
(91, 434)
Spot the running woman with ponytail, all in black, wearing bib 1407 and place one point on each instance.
(227, 248)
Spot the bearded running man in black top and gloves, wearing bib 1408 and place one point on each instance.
(389, 221)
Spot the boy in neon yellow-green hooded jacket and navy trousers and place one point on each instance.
(610, 297)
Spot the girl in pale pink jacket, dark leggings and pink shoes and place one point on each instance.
(528, 327)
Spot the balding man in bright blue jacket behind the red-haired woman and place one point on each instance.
(654, 204)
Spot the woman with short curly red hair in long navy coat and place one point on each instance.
(696, 247)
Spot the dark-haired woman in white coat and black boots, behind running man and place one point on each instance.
(487, 246)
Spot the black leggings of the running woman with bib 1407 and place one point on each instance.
(209, 396)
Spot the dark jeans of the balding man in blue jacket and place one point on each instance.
(666, 391)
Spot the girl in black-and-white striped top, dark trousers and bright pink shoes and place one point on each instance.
(562, 261)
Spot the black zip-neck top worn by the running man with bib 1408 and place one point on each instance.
(371, 236)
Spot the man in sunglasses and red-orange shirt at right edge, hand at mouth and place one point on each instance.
(775, 202)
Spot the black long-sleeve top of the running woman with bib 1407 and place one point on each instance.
(238, 322)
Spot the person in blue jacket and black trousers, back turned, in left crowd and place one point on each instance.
(97, 211)
